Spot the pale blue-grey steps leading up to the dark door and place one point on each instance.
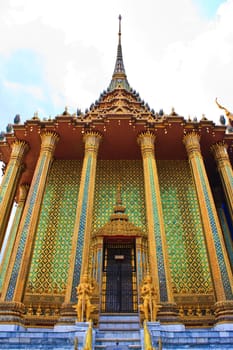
(123, 329)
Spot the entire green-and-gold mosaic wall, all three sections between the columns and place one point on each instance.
(185, 241)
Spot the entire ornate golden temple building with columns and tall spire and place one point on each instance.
(122, 211)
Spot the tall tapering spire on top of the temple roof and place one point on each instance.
(119, 79)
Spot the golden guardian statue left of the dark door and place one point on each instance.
(84, 306)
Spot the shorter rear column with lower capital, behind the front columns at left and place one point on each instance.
(23, 190)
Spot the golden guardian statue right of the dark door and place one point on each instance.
(150, 306)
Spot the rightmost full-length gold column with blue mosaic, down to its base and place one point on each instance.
(218, 259)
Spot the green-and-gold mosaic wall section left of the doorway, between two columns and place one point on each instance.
(50, 261)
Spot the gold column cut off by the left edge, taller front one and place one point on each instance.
(9, 184)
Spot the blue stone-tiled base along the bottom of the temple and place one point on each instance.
(176, 337)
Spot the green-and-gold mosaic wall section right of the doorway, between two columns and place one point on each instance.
(184, 233)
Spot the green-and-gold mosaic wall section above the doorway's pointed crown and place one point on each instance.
(109, 174)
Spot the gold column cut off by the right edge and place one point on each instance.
(225, 170)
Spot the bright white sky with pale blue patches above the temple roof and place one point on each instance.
(55, 53)
